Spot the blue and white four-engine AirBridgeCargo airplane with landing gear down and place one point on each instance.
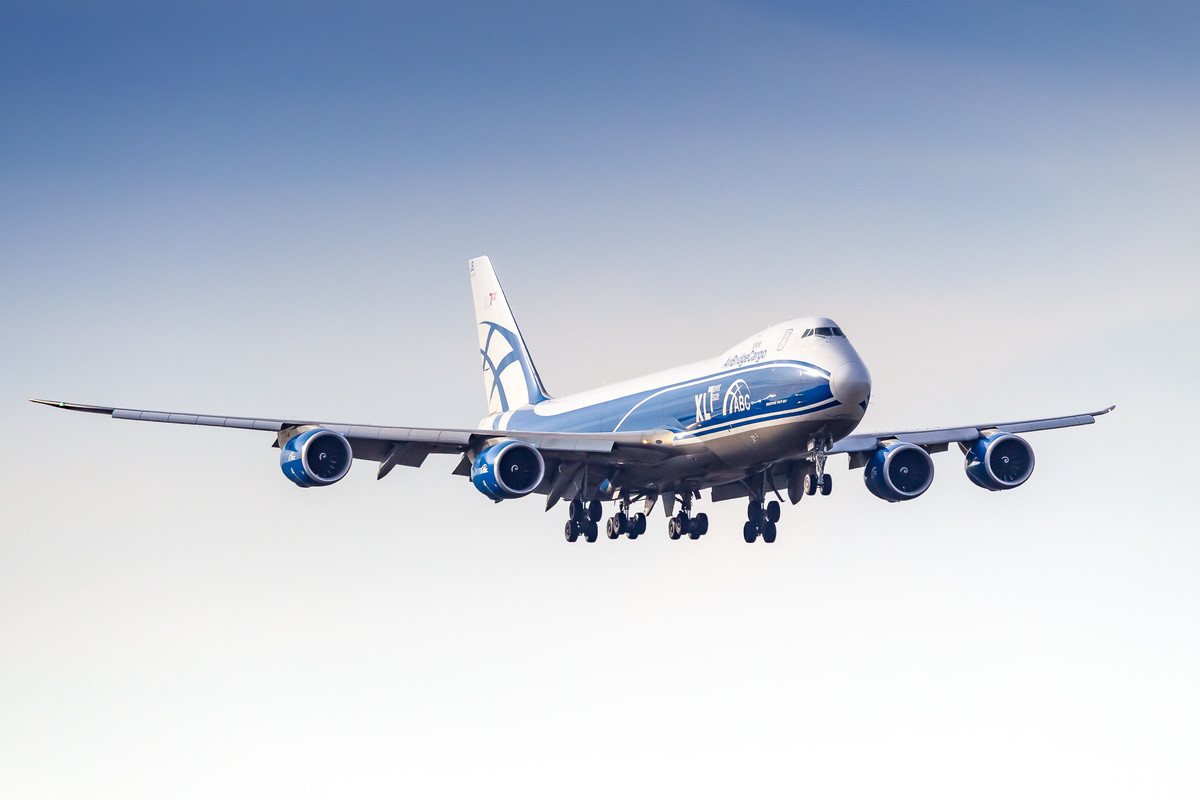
(760, 418)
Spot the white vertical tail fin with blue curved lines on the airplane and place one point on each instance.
(511, 380)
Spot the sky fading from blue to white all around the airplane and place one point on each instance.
(268, 209)
